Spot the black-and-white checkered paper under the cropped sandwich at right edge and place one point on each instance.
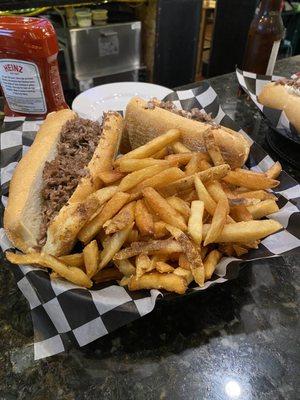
(252, 84)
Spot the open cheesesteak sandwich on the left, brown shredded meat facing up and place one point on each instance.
(51, 192)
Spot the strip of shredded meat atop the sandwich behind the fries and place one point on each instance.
(195, 113)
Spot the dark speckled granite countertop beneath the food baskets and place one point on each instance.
(238, 340)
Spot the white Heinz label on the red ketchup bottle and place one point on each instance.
(22, 86)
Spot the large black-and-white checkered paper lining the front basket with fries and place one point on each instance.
(65, 315)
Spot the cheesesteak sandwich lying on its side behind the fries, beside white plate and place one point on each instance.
(146, 120)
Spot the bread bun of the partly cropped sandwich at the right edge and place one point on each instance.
(283, 97)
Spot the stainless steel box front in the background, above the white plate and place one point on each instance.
(105, 50)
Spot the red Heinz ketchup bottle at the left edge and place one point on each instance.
(29, 74)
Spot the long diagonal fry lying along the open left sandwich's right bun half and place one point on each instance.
(90, 230)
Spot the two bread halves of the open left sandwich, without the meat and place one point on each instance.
(23, 216)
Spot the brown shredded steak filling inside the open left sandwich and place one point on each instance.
(78, 140)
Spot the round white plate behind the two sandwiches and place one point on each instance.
(114, 96)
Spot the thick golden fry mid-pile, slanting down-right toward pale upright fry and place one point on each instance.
(163, 209)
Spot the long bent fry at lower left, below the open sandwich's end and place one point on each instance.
(72, 274)
